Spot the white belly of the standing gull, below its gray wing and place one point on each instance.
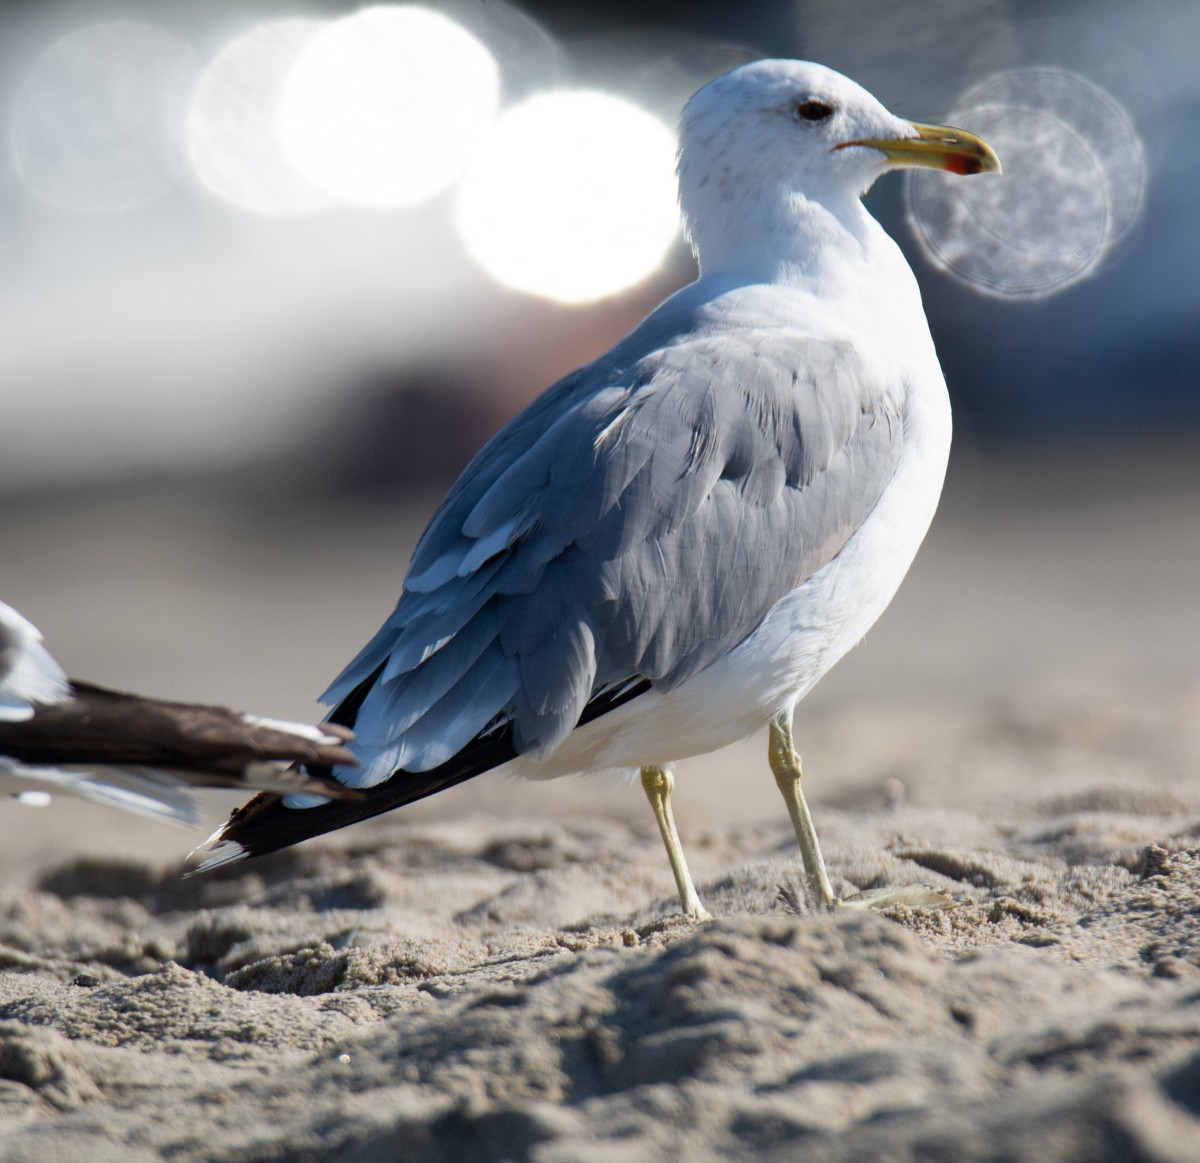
(801, 639)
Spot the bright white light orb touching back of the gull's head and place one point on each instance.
(573, 199)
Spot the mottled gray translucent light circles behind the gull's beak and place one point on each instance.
(1073, 185)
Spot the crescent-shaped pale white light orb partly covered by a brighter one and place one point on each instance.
(232, 137)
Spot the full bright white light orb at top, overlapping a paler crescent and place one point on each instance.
(387, 107)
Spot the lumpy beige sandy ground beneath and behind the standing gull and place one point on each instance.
(500, 974)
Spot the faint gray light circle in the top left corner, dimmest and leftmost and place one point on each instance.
(97, 123)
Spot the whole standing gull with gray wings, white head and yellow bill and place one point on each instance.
(668, 549)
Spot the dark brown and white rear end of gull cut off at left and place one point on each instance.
(61, 735)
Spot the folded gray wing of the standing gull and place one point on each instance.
(635, 523)
